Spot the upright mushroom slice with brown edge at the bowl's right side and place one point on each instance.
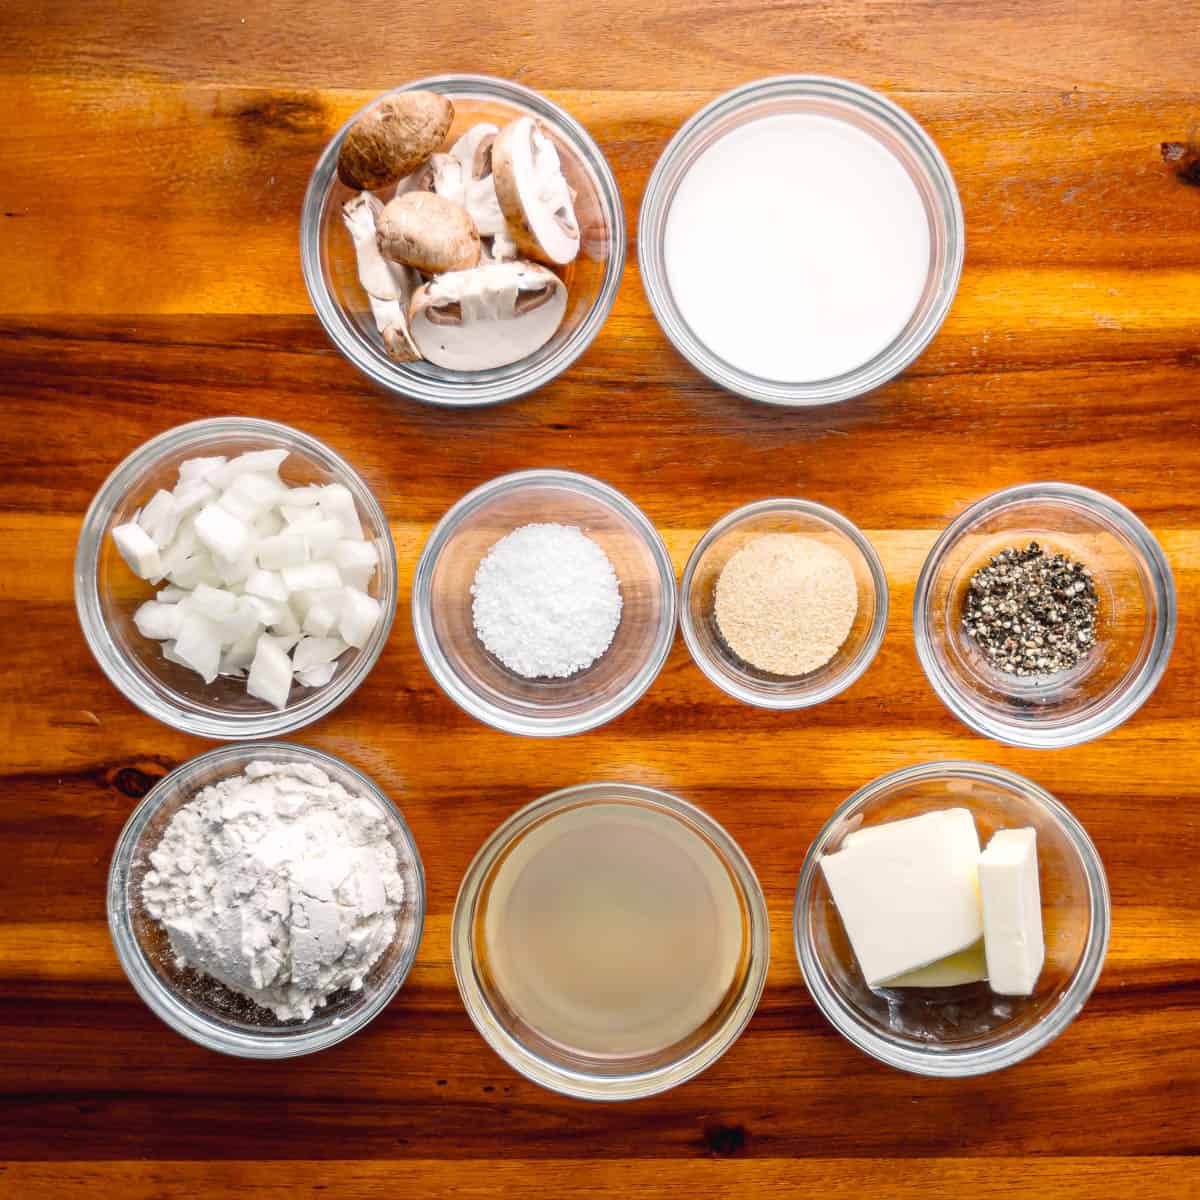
(533, 193)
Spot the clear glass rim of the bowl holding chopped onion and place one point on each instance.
(100, 641)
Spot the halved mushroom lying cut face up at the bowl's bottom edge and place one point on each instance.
(488, 317)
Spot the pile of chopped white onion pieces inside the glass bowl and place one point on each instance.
(266, 581)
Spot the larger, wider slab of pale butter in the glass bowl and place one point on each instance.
(908, 892)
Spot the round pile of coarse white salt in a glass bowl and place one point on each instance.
(547, 602)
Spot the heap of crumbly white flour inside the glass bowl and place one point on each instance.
(280, 884)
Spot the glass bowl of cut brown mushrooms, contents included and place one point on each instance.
(463, 241)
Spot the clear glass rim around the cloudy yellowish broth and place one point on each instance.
(580, 1084)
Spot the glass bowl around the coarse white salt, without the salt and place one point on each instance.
(477, 681)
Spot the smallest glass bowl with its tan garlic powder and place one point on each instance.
(784, 604)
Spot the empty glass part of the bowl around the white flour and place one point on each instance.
(205, 1010)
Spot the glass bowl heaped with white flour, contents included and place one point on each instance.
(267, 901)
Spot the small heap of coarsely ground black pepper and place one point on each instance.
(1031, 613)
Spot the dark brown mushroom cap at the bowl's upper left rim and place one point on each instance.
(393, 139)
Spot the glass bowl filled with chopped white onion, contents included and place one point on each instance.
(236, 579)
